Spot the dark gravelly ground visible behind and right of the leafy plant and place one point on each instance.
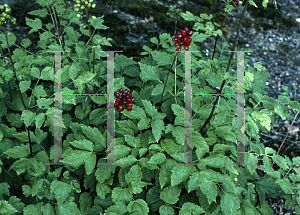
(274, 35)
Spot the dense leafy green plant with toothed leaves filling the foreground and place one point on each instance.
(149, 139)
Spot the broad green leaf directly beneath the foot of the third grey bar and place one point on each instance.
(181, 173)
